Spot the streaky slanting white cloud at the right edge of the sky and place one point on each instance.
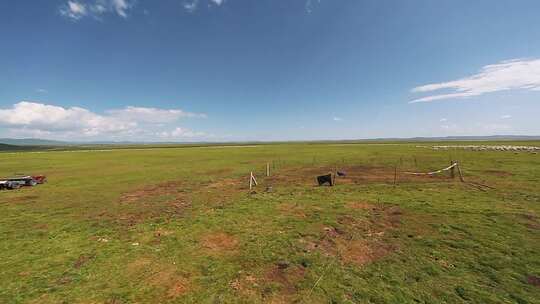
(506, 75)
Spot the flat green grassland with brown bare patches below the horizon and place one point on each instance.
(179, 225)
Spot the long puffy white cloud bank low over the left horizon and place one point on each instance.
(76, 123)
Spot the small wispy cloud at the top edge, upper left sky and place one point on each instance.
(76, 10)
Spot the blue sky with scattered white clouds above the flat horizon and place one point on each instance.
(229, 70)
